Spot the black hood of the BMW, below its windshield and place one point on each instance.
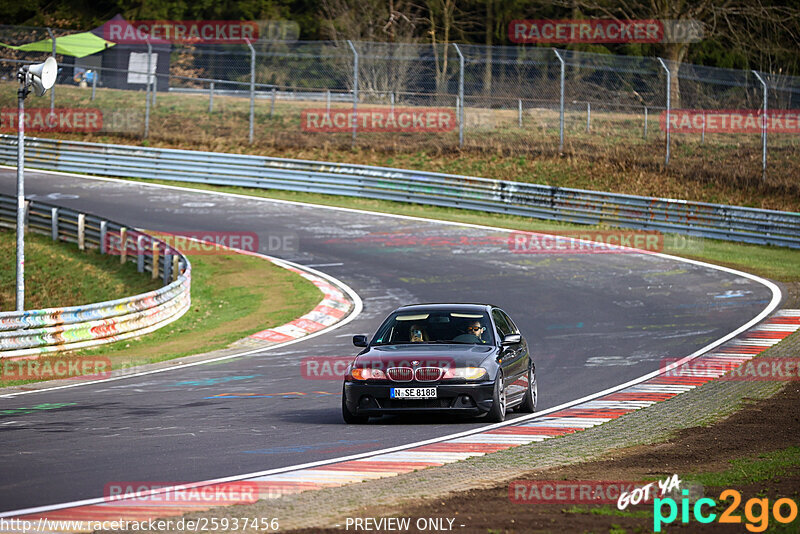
(433, 355)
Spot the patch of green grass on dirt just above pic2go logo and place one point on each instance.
(761, 468)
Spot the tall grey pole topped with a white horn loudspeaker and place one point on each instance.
(41, 77)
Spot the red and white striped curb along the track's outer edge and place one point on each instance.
(574, 418)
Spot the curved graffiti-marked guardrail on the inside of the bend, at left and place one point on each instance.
(58, 329)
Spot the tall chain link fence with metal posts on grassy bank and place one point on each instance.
(507, 100)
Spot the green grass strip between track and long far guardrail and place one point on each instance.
(777, 263)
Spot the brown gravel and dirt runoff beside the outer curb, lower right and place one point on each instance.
(696, 426)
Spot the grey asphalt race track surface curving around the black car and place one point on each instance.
(595, 320)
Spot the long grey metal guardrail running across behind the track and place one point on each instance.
(717, 221)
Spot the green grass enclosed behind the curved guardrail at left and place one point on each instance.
(57, 274)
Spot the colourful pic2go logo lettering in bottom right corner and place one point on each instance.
(757, 521)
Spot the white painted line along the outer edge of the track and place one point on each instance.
(774, 302)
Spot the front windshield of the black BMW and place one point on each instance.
(441, 326)
